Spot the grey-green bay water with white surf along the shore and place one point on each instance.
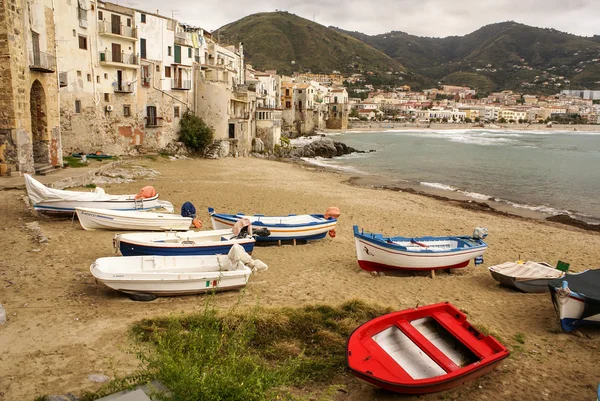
(552, 172)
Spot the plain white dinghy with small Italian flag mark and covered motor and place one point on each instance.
(152, 276)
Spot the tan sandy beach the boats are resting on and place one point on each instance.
(62, 326)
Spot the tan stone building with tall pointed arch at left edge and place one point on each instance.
(30, 135)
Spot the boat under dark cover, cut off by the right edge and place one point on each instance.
(576, 299)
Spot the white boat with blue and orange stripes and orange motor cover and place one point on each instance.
(291, 227)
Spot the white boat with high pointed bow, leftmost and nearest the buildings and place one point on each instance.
(52, 200)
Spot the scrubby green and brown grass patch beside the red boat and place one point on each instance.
(263, 355)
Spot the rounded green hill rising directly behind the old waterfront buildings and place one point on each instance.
(289, 43)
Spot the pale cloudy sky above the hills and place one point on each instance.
(438, 18)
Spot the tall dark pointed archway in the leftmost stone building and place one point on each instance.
(39, 124)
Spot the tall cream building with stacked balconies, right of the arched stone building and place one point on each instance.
(126, 77)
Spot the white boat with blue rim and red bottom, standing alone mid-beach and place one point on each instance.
(377, 252)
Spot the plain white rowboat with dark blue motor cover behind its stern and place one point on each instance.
(101, 219)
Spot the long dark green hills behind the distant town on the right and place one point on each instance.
(509, 55)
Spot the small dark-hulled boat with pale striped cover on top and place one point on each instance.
(526, 277)
